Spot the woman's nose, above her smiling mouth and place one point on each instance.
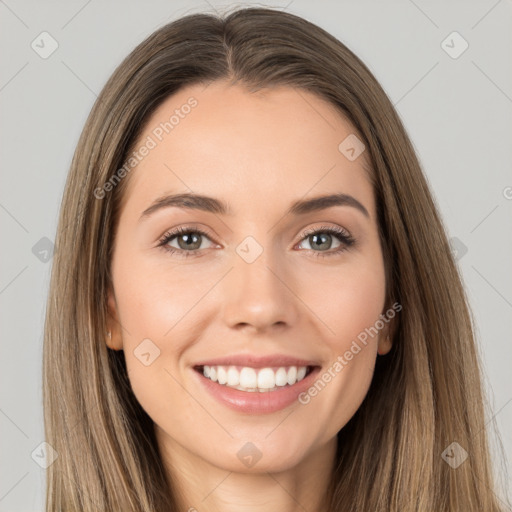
(259, 294)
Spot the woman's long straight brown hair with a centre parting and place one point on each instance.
(425, 394)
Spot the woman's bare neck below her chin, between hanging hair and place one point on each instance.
(202, 486)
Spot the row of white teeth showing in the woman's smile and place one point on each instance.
(251, 379)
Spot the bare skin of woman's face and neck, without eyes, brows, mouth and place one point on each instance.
(259, 152)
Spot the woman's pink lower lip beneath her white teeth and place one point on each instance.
(257, 402)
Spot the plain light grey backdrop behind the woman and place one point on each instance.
(457, 112)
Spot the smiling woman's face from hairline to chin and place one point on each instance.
(266, 294)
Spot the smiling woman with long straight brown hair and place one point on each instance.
(253, 302)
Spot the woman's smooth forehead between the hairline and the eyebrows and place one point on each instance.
(272, 146)
